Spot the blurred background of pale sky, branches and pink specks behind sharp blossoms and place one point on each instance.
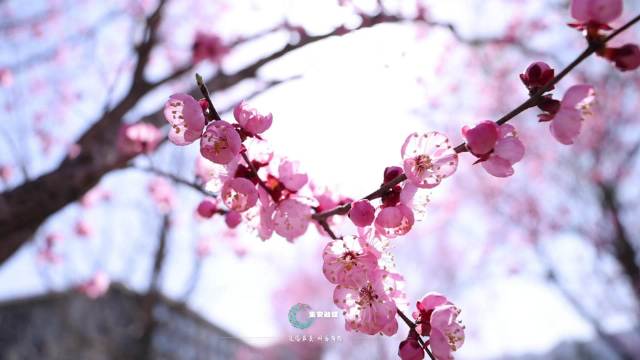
(544, 264)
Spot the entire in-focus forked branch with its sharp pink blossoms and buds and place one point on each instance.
(369, 289)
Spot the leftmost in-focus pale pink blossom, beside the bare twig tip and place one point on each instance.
(186, 118)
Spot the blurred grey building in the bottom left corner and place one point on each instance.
(71, 326)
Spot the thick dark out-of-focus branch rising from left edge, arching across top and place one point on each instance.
(28, 205)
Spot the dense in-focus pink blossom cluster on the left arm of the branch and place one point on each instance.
(272, 196)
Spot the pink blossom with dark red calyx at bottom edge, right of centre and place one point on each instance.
(437, 318)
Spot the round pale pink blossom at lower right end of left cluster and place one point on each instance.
(291, 219)
